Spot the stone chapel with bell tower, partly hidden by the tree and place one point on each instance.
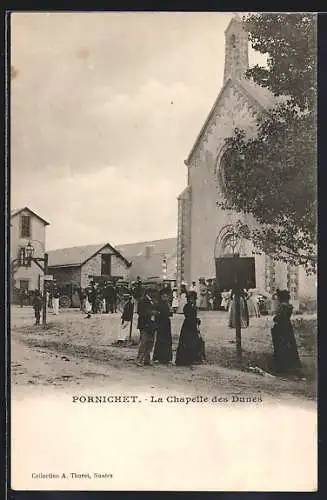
(204, 230)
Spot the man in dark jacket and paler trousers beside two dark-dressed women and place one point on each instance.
(146, 324)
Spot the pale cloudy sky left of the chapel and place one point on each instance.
(105, 108)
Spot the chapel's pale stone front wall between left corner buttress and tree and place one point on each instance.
(233, 110)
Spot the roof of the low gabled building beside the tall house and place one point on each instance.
(76, 256)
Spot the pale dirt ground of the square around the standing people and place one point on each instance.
(73, 352)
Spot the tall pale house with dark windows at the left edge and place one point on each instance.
(26, 226)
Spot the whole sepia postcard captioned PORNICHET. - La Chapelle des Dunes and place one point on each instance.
(163, 251)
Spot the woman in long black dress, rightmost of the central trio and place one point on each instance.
(189, 350)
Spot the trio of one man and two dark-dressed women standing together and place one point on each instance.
(154, 325)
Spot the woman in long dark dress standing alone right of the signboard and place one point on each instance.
(285, 349)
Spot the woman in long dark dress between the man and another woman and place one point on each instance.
(163, 346)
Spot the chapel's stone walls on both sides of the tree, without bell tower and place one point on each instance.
(206, 220)
